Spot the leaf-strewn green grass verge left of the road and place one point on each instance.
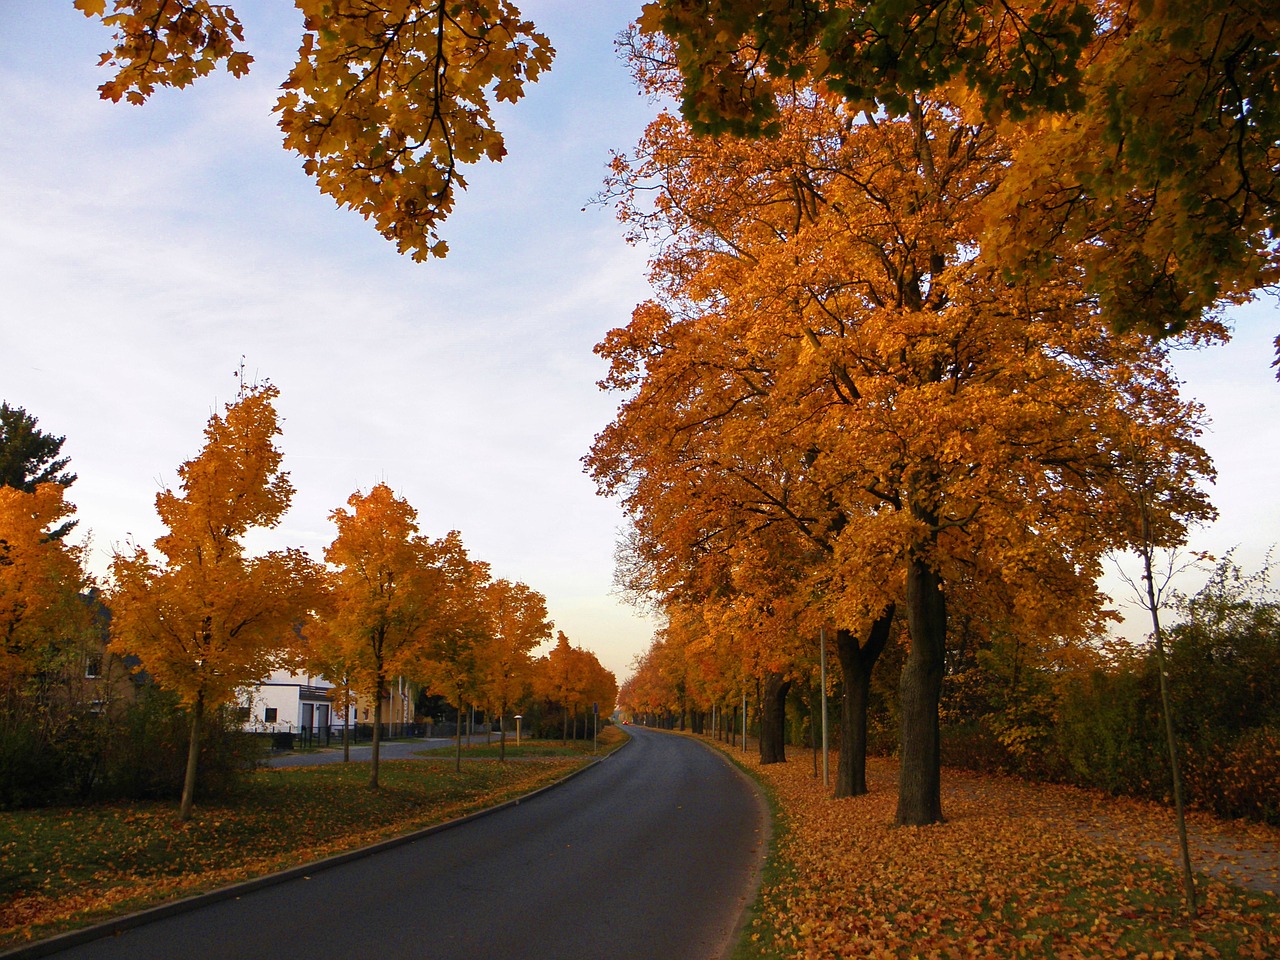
(68, 867)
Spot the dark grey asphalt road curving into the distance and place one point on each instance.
(648, 856)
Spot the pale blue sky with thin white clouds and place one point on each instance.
(147, 250)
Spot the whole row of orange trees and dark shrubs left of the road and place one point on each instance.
(199, 618)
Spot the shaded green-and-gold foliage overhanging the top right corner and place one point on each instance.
(1150, 130)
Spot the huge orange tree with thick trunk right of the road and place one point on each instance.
(833, 351)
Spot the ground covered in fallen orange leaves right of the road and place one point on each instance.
(1018, 870)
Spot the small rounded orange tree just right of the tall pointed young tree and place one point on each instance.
(388, 593)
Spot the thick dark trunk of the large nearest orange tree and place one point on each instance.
(920, 797)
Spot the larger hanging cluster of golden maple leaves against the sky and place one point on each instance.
(388, 100)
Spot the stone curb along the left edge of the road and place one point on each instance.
(109, 929)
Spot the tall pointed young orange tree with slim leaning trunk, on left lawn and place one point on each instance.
(204, 618)
